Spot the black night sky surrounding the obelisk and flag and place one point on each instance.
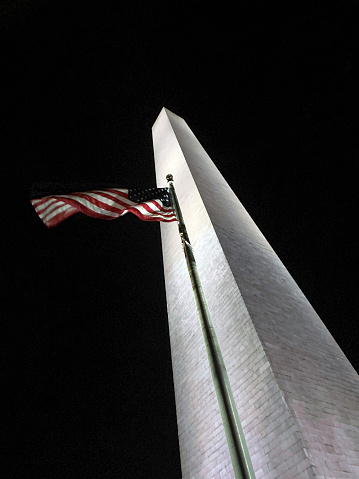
(268, 89)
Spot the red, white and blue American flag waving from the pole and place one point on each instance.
(149, 204)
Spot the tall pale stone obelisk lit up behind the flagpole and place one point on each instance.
(296, 393)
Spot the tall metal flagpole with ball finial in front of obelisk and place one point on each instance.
(241, 461)
